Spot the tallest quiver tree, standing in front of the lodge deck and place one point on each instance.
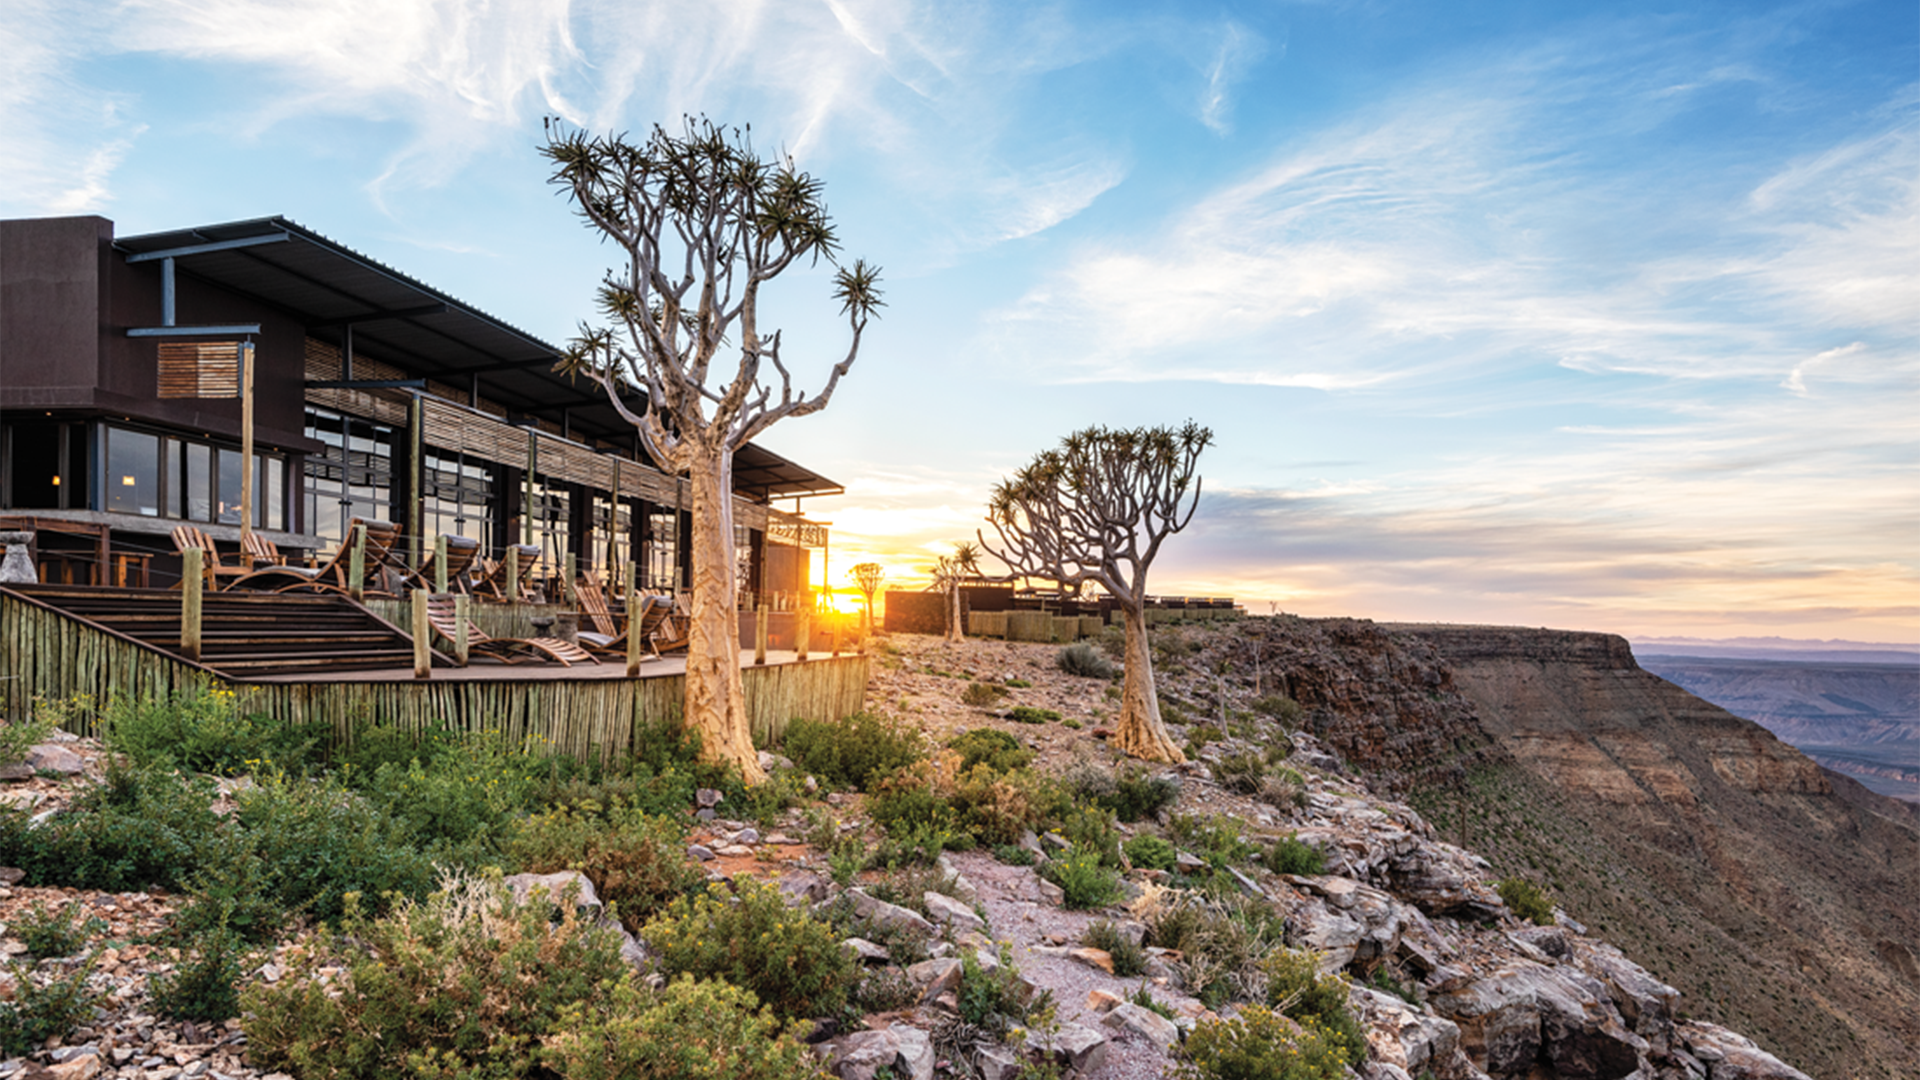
(704, 224)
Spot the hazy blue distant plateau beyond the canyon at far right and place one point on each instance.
(1850, 706)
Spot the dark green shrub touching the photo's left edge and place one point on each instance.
(135, 831)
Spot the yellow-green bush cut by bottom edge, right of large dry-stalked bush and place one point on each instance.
(684, 1031)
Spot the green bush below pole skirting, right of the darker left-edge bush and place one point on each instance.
(322, 841)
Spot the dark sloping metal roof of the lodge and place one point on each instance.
(425, 333)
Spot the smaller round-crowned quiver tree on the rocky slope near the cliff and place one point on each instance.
(1097, 510)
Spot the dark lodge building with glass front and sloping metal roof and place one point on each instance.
(375, 397)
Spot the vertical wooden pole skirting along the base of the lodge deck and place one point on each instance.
(585, 710)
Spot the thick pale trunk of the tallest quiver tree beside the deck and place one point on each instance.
(717, 700)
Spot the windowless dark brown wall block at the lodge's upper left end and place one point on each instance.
(51, 274)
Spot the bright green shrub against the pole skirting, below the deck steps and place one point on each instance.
(203, 731)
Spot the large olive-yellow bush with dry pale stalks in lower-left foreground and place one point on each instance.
(466, 983)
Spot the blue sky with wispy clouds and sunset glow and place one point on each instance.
(1543, 314)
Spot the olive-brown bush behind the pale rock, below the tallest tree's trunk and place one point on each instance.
(635, 860)
